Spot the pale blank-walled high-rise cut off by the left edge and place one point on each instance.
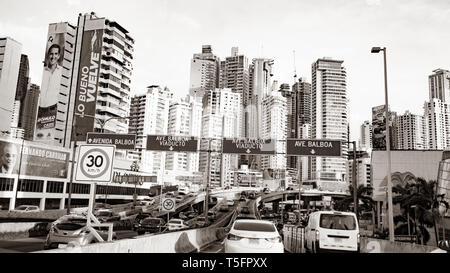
(10, 55)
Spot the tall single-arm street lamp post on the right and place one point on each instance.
(388, 147)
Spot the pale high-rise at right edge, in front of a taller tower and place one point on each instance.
(436, 114)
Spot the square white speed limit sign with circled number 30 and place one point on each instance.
(95, 163)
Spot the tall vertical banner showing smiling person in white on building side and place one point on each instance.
(50, 88)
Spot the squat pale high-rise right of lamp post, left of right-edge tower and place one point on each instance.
(411, 131)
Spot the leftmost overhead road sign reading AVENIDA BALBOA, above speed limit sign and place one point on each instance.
(122, 141)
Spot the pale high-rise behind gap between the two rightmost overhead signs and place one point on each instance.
(274, 126)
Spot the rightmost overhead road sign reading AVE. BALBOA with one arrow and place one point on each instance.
(314, 147)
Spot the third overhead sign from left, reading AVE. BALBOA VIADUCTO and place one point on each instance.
(248, 146)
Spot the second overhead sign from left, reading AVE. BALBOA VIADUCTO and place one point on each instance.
(172, 143)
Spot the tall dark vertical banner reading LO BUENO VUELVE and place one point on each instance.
(87, 83)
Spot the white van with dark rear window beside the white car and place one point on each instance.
(332, 231)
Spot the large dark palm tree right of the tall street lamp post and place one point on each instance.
(419, 205)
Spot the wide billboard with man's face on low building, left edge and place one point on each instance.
(32, 160)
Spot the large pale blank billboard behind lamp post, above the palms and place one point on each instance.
(406, 166)
